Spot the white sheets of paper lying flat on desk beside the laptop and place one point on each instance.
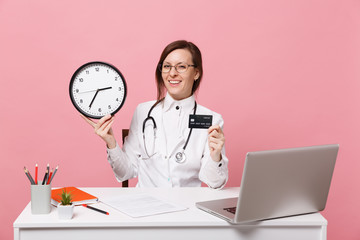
(141, 205)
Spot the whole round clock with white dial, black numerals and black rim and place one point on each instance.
(97, 89)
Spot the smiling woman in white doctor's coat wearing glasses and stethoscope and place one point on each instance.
(161, 150)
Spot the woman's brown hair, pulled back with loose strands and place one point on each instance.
(197, 61)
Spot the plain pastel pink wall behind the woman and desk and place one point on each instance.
(282, 73)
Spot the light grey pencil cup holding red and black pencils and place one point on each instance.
(40, 199)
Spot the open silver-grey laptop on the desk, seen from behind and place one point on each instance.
(279, 183)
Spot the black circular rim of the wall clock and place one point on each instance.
(75, 75)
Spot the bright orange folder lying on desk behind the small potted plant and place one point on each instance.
(79, 196)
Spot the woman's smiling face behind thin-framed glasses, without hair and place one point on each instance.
(179, 85)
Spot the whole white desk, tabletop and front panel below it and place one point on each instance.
(185, 225)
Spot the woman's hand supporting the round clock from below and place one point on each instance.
(103, 129)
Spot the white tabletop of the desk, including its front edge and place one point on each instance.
(193, 217)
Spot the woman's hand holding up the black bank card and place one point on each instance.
(216, 141)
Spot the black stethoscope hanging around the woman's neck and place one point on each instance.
(180, 156)
